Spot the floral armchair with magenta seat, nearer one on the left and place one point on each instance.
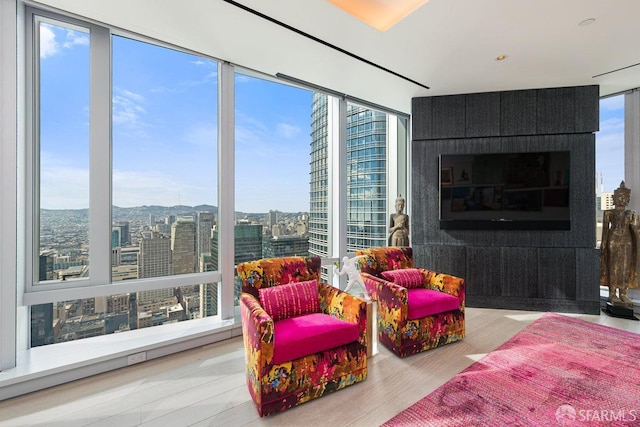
(294, 353)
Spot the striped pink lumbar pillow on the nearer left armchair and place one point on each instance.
(290, 300)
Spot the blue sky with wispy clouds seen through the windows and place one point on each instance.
(165, 130)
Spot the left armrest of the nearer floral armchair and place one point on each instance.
(257, 331)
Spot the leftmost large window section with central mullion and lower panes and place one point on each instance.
(153, 164)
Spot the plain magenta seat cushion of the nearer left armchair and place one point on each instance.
(310, 333)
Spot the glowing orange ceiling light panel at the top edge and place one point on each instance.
(380, 14)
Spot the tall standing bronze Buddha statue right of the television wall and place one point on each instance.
(619, 248)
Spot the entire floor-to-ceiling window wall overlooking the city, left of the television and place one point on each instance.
(119, 223)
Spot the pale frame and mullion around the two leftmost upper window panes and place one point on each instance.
(99, 282)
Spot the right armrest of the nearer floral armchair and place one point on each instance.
(345, 306)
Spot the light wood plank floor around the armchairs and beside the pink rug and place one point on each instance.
(206, 386)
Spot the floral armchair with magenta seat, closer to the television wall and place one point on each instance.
(418, 309)
